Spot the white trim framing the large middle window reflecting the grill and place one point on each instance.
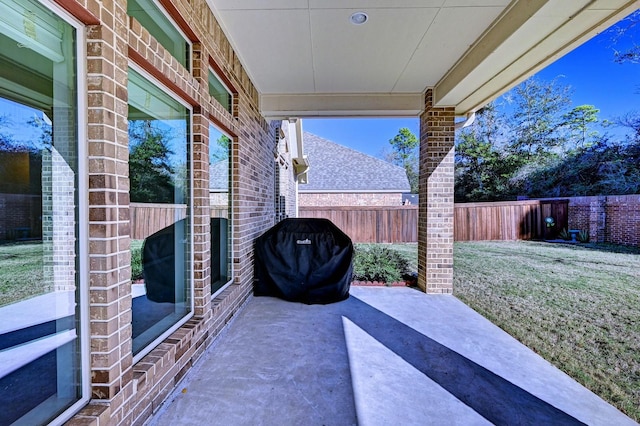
(137, 357)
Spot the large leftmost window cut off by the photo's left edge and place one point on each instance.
(41, 307)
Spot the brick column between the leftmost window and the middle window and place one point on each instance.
(109, 242)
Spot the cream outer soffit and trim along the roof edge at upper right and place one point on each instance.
(557, 27)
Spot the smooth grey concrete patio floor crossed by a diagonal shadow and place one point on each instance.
(385, 356)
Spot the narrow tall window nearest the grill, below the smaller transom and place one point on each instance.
(219, 190)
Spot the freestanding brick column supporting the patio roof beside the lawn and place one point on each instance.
(435, 213)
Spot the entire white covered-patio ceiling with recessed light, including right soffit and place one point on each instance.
(307, 59)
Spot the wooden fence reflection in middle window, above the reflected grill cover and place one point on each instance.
(147, 218)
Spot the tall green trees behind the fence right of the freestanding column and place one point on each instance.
(536, 149)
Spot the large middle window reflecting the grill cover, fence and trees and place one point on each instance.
(159, 173)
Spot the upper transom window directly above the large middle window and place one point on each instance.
(154, 19)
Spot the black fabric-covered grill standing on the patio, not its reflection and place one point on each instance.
(304, 260)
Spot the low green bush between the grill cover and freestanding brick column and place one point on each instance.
(377, 263)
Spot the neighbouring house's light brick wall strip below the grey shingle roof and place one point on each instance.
(310, 199)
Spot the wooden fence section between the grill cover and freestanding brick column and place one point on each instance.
(371, 224)
